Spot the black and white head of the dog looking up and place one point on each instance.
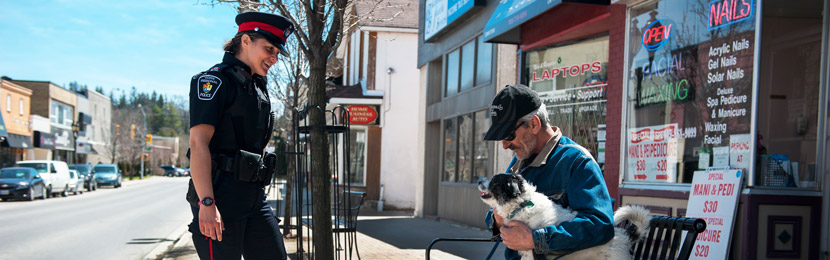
(501, 189)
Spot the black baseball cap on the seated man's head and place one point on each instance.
(510, 104)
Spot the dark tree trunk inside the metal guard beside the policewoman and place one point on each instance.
(320, 174)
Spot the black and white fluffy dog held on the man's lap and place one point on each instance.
(515, 199)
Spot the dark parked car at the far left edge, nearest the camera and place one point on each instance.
(21, 183)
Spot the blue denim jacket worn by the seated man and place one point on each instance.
(569, 177)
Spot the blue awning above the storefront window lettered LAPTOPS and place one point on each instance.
(504, 25)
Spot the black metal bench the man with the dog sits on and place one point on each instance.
(663, 239)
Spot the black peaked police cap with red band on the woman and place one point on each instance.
(275, 28)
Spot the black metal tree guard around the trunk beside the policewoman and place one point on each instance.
(337, 130)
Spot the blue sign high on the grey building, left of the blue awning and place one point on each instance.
(441, 13)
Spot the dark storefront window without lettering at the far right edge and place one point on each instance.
(788, 96)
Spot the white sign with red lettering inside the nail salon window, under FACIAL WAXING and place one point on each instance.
(652, 153)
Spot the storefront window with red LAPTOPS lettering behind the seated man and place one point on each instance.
(571, 80)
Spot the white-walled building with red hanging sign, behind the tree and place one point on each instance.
(380, 89)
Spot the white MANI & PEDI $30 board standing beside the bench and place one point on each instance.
(714, 198)
